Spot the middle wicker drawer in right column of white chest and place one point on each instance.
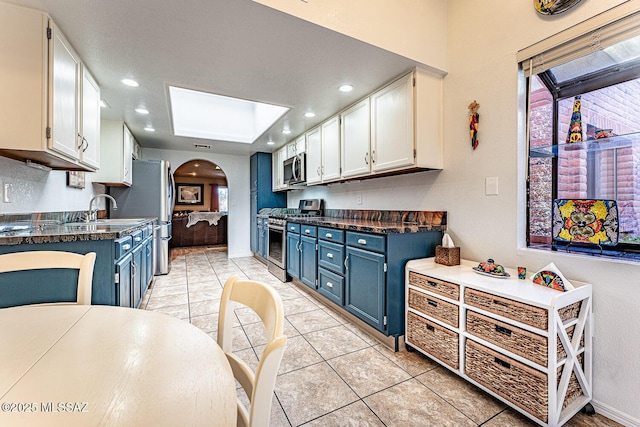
(523, 343)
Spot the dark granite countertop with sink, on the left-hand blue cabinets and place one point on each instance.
(50, 232)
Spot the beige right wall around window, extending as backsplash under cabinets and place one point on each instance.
(483, 39)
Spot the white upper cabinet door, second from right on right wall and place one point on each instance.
(356, 140)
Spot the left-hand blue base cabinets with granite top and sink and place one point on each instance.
(123, 268)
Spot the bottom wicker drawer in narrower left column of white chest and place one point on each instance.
(439, 342)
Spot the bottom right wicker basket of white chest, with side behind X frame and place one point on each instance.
(521, 385)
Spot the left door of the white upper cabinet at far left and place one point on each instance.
(65, 93)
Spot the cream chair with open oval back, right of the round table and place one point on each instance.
(259, 386)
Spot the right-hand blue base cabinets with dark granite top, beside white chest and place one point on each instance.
(355, 260)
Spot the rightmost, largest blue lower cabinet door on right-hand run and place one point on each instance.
(365, 286)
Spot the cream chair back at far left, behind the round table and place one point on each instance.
(38, 260)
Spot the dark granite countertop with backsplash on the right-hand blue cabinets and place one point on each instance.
(381, 222)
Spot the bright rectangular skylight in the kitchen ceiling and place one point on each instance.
(208, 116)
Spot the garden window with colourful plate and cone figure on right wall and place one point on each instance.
(584, 141)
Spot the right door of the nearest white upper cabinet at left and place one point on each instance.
(90, 121)
